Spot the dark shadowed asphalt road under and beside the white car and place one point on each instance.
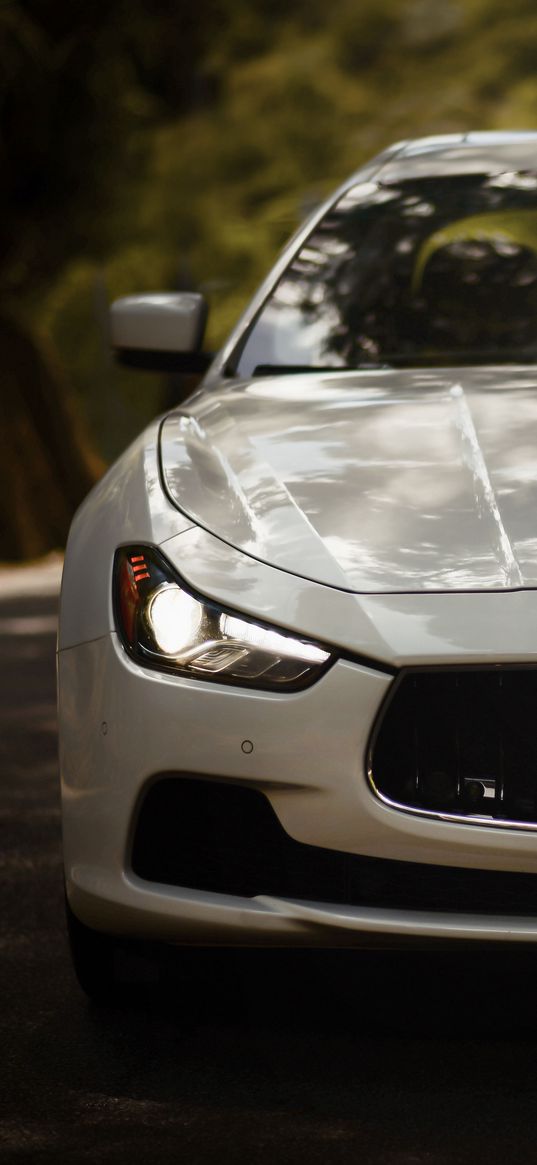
(387, 1058)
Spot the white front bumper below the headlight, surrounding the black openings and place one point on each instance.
(121, 725)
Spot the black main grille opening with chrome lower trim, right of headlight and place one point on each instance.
(462, 743)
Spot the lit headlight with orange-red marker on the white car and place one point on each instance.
(165, 625)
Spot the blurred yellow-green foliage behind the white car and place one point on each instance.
(166, 145)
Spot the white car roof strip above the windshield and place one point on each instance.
(451, 154)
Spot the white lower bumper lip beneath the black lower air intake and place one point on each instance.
(195, 919)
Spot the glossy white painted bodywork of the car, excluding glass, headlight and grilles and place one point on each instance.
(436, 562)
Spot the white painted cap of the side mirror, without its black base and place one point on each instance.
(160, 322)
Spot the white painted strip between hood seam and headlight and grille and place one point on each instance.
(395, 630)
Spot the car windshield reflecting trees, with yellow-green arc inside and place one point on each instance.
(426, 272)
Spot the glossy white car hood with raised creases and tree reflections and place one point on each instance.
(373, 483)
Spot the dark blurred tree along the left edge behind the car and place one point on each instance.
(77, 82)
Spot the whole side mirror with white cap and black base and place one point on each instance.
(162, 331)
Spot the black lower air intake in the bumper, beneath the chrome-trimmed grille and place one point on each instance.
(218, 837)
